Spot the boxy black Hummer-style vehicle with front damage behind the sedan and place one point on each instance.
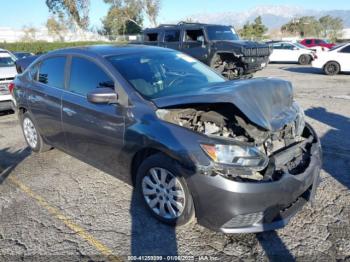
(218, 46)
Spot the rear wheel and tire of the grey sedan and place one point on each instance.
(31, 134)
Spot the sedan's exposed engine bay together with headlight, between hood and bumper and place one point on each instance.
(241, 150)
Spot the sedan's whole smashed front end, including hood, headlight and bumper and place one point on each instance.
(264, 159)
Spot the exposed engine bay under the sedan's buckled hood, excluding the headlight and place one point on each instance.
(288, 149)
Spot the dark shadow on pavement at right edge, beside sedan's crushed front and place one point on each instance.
(335, 143)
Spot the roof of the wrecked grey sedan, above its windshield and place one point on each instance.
(110, 50)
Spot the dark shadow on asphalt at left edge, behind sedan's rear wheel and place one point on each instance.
(10, 159)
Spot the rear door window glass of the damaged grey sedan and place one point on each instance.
(51, 72)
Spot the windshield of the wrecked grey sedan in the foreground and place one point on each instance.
(160, 74)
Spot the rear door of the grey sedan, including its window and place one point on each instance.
(44, 98)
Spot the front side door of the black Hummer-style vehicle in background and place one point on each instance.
(194, 43)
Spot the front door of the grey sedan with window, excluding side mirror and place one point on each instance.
(94, 132)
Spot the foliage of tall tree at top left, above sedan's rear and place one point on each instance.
(75, 11)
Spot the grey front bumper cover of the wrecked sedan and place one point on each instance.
(239, 207)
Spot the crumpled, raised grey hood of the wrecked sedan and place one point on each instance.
(267, 102)
